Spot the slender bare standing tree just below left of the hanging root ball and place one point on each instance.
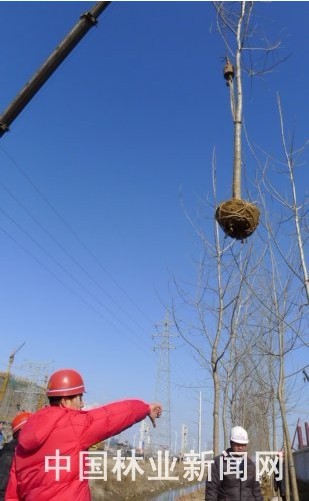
(216, 306)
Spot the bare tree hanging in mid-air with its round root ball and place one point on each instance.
(237, 217)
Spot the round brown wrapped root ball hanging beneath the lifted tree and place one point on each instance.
(237, 218)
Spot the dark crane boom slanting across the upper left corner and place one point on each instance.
(87, 21)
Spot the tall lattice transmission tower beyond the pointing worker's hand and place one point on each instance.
(162, 436)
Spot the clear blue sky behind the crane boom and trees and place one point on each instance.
(99, 159)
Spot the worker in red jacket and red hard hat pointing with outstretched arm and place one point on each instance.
(61, 433)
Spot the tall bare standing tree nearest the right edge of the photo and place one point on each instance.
(286, 225)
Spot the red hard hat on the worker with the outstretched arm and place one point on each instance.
(65, 383)
